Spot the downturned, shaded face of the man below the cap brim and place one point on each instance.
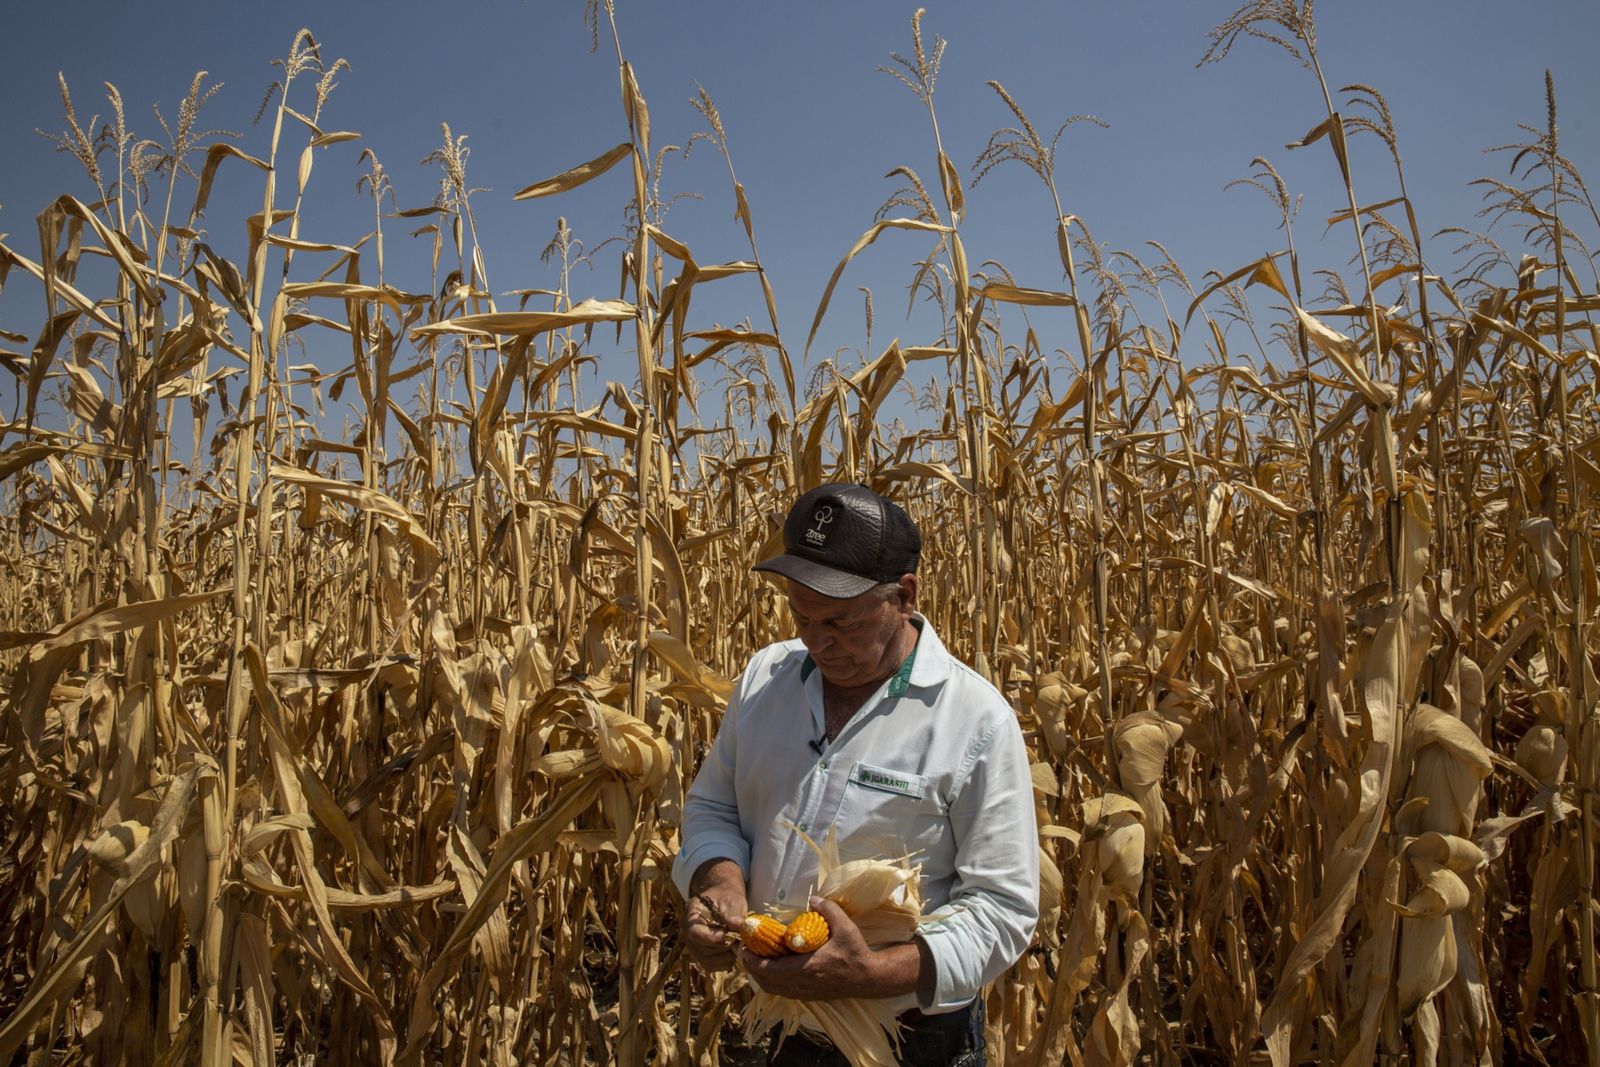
(854, 642)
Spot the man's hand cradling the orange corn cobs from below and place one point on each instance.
(846, 967)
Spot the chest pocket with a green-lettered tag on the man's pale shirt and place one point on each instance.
(889, 813)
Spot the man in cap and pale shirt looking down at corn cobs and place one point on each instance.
(866, 724)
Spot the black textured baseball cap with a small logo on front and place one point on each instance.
(842, 540)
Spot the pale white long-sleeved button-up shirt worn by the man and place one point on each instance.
(934, 765)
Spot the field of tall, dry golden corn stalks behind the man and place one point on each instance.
(369, 745)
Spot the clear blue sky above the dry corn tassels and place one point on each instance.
(814, 126)
